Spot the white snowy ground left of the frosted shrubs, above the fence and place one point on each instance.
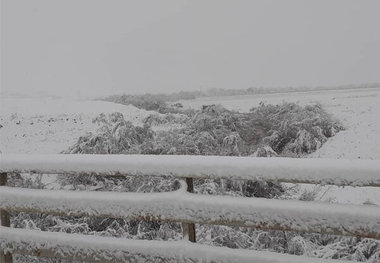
(52, 125)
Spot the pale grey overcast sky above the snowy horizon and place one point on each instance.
(99, 47)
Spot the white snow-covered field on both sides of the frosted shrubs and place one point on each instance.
(52, 125)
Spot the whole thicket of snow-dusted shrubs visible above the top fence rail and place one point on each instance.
(268, 130)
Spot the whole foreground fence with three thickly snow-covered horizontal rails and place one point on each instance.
(180, 205)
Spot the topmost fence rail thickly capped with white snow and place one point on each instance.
(324, 171)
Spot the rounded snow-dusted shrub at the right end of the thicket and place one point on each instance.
(297, 130)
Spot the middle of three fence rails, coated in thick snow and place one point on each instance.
(180, 206)
